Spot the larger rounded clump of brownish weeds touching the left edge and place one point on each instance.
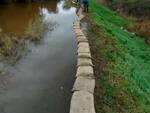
(11, 48)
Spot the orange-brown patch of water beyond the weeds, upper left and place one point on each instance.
(14, 18)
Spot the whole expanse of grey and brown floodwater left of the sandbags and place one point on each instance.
(41, 81)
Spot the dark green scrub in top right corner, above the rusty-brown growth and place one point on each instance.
(133, 7)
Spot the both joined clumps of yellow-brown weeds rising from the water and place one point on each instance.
(12, 47)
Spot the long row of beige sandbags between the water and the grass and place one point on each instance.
(83, 90)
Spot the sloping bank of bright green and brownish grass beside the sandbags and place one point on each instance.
(122, 64)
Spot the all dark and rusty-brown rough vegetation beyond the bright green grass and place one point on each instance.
(135, 10)
